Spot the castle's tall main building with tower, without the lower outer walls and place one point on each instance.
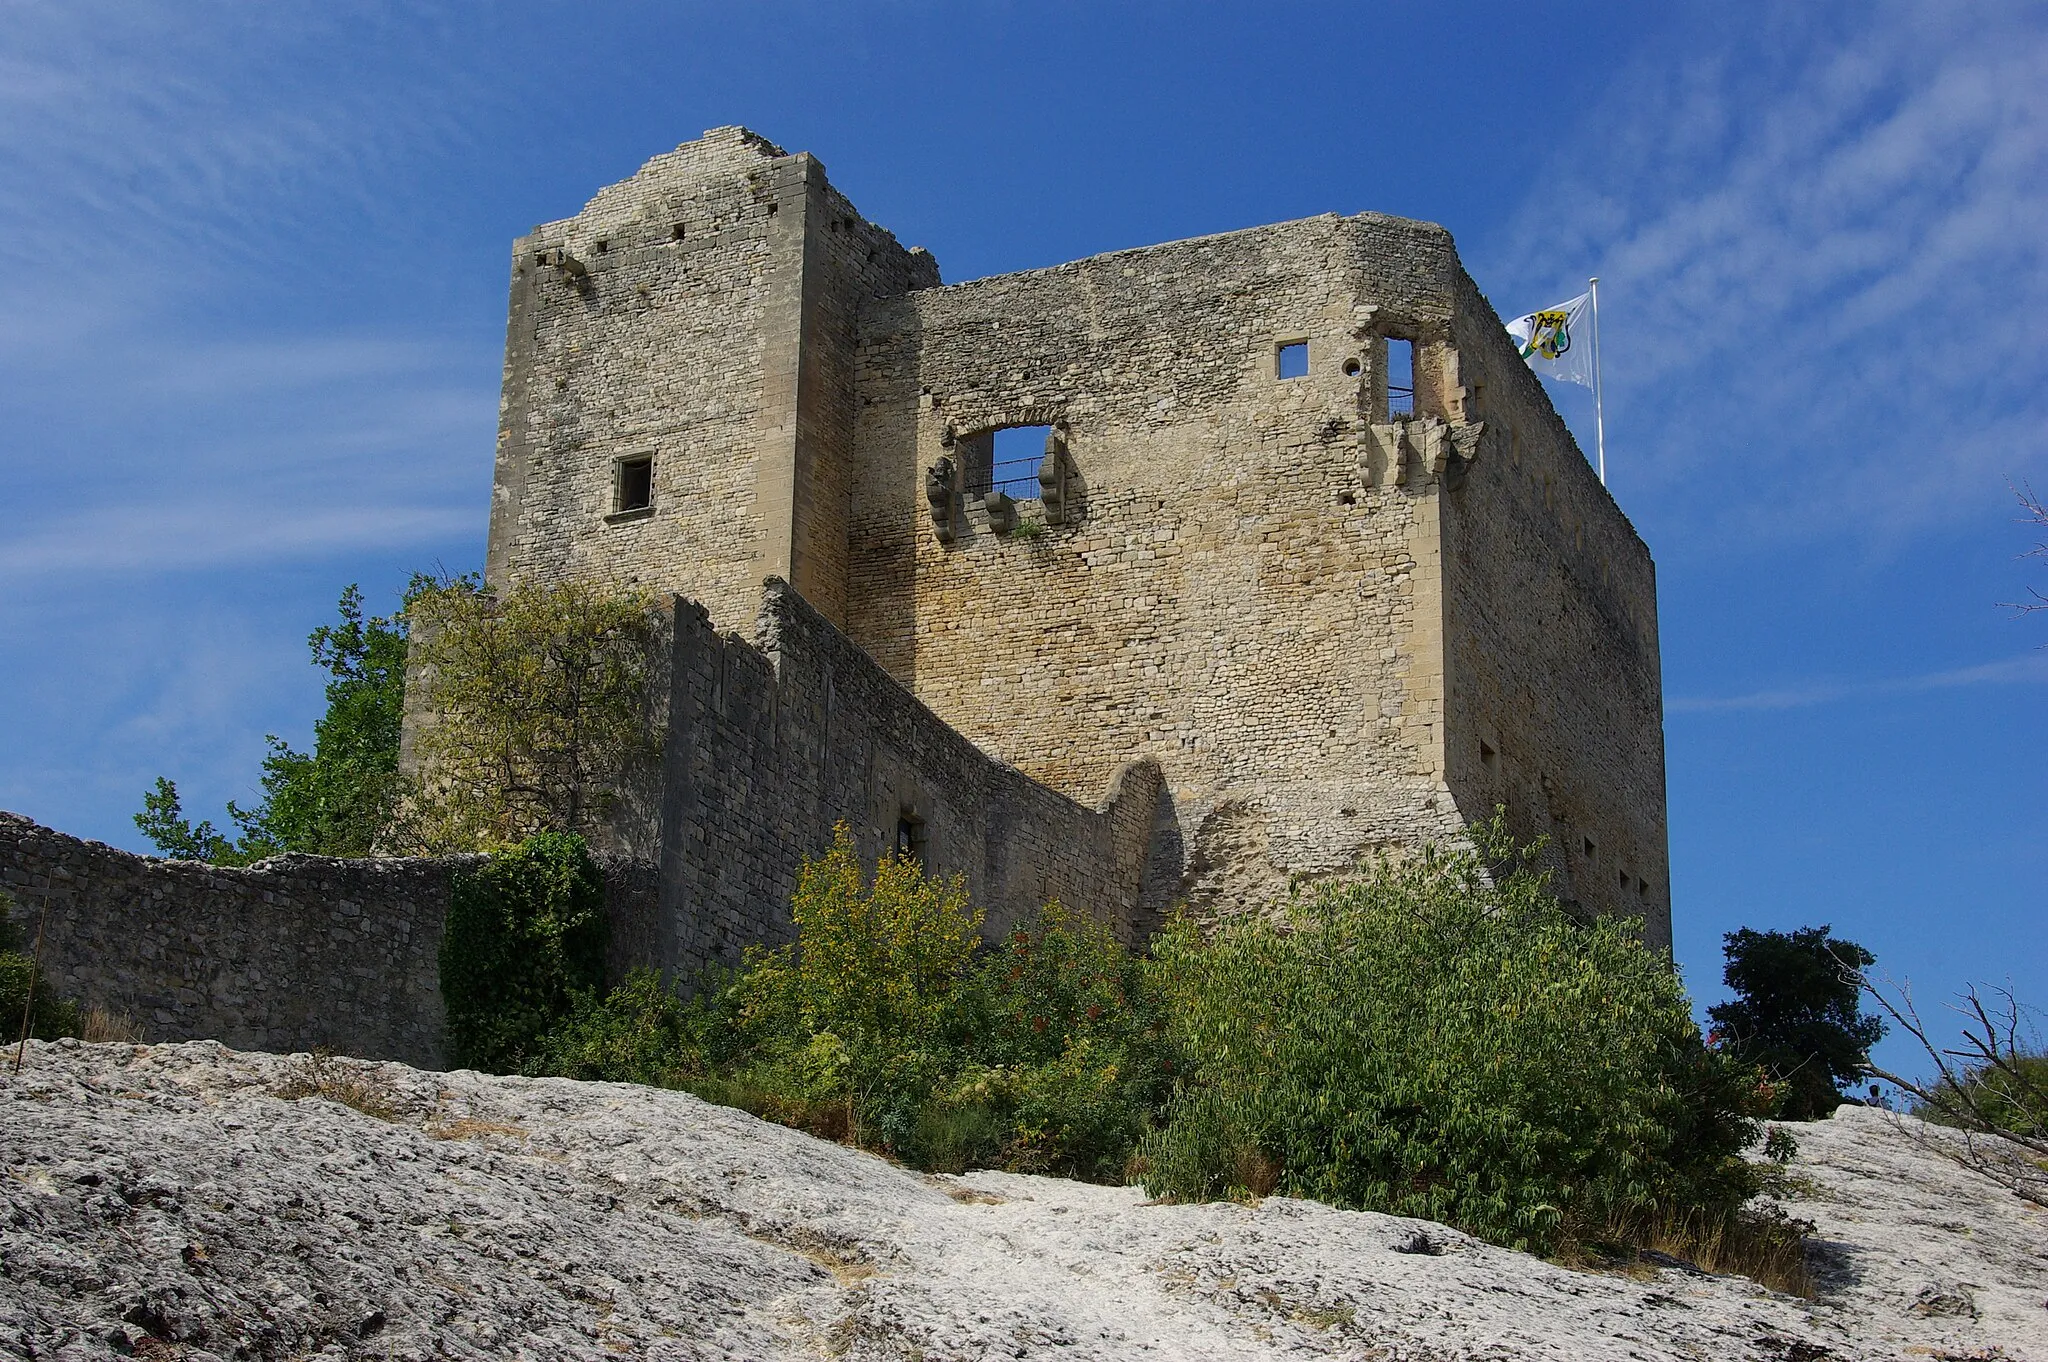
(1295, 527)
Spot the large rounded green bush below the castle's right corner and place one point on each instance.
(1447, 1044)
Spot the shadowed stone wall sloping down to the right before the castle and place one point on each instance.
(775, 742)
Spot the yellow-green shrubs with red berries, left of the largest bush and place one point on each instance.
(880, 1025)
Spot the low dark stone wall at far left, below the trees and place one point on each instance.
(288, 955)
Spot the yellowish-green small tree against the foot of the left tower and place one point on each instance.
(540, 710)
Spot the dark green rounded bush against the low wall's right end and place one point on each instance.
(523, 949)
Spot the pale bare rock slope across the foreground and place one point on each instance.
(187, 1201)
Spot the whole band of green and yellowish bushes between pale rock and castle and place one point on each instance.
(1435, 1041)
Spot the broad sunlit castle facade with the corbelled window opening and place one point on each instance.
(1236, 597)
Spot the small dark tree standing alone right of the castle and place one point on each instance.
(1797, 1015)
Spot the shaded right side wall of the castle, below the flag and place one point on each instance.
(1551, 642)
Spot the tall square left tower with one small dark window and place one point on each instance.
(695, 314)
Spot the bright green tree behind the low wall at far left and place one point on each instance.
(339, 798)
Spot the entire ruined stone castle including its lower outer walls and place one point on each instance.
(1295, 564)
